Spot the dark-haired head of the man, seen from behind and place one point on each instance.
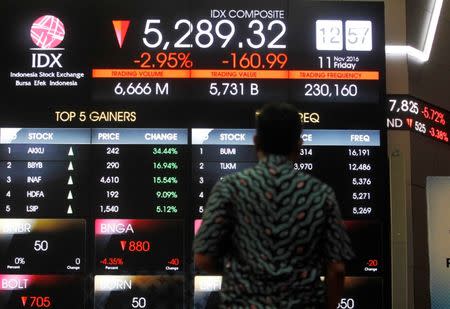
(278, 129)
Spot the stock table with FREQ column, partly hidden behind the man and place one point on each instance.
(346, 159)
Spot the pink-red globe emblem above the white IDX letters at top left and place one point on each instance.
(47, 31)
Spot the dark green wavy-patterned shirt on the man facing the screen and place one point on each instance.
(275, 229)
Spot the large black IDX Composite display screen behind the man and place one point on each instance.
(117, 118)
